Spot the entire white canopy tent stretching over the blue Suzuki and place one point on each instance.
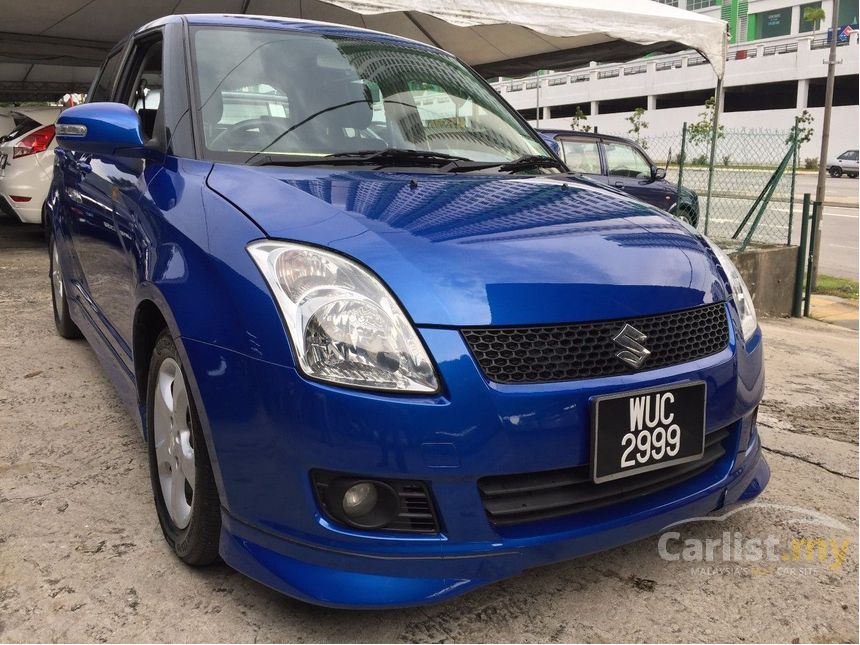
(53, 47)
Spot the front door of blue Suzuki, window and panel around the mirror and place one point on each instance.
(108, 190)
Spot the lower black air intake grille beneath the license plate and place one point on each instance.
(517, 499)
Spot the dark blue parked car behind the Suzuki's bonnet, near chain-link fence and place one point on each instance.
(623, 164)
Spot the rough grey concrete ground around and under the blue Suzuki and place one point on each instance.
(82, 557)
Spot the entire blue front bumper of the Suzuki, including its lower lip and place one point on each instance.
(268, 428)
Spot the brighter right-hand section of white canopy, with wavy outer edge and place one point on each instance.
(514, 38)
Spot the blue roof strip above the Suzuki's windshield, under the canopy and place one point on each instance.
(286, 24)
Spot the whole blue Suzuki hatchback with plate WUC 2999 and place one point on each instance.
(383, 347)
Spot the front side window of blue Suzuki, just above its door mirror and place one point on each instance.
(144, 83)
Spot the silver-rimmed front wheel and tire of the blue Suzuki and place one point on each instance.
(183, 485)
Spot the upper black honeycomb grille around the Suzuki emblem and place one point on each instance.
(586, 350)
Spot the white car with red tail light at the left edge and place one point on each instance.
(27, 163)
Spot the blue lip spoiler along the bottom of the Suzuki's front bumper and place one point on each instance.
(357, 580)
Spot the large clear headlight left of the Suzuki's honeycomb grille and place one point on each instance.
(345, 325)
